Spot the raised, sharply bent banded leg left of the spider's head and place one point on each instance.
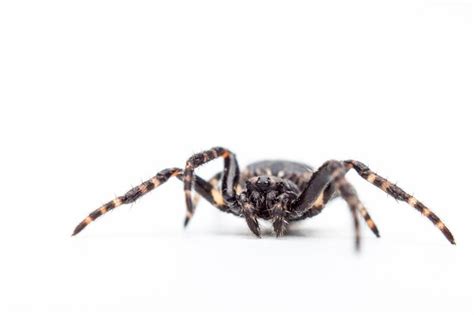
(230, 177)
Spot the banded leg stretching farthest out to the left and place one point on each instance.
(201, 186)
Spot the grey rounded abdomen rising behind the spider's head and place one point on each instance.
(298, 173)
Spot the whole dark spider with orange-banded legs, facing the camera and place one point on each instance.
(279, 191)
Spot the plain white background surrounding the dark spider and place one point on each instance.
(97, 96)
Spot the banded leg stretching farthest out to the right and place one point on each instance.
(397, 193)
